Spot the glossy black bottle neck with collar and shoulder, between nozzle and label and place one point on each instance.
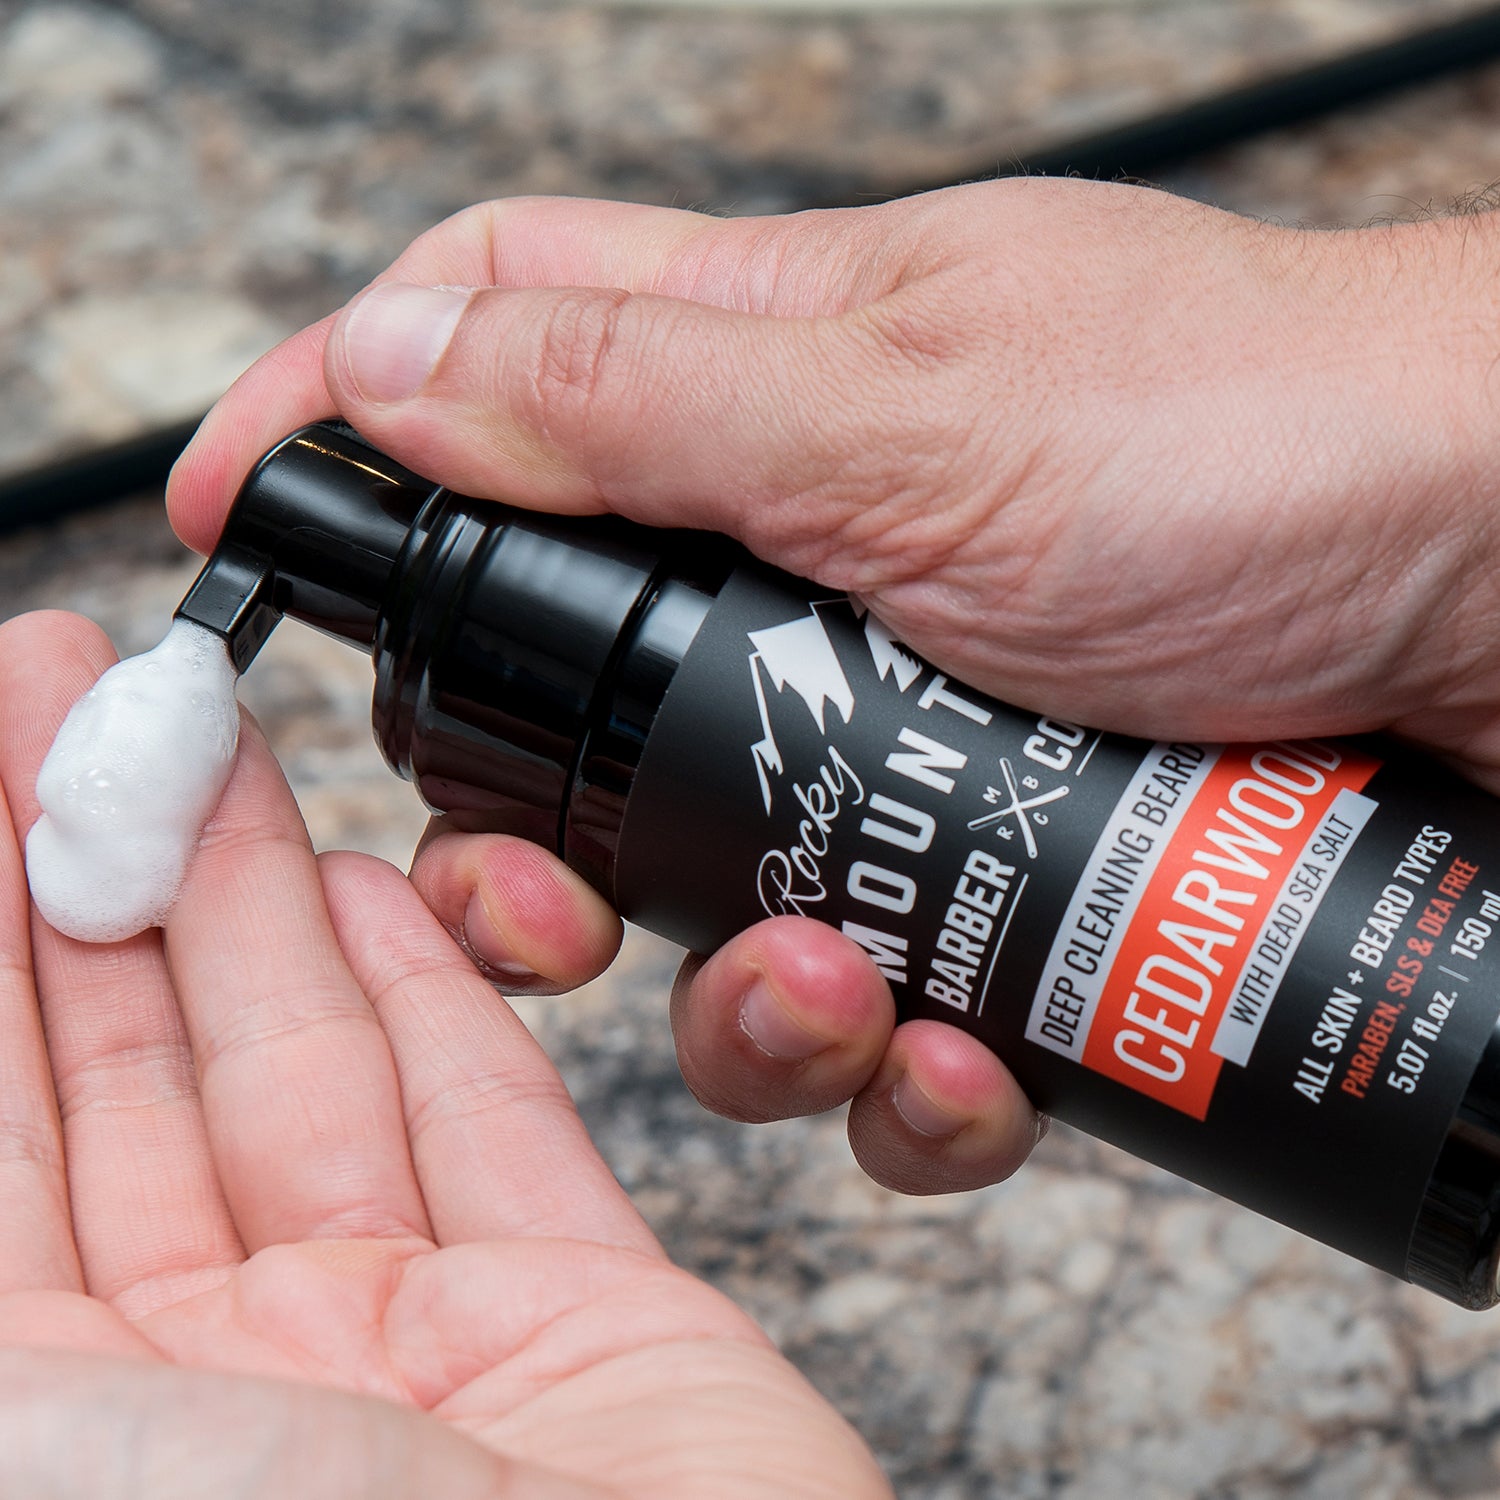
(521, 659)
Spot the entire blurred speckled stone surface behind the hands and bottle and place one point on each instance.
(182, 182)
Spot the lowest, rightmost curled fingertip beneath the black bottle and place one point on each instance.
(941, 1115)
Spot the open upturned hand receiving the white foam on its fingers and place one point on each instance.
(293, 1207)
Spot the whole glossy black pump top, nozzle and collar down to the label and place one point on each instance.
(520, 658)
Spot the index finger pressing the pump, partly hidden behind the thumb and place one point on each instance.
(802, 266)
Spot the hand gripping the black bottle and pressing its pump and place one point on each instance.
(1105, 454)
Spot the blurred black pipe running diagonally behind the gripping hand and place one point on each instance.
(1132, 151)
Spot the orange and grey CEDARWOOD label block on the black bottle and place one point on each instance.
(1192, 910)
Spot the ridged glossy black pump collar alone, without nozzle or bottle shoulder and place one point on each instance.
(500, 637)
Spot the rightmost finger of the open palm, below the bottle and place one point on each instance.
(497, 1142)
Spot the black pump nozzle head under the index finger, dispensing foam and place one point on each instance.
(314, 533)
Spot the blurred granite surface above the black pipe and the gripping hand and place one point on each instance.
(184, 182)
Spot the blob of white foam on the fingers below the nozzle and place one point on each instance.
(133, 776)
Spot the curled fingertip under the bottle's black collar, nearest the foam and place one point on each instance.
(526, 919)
